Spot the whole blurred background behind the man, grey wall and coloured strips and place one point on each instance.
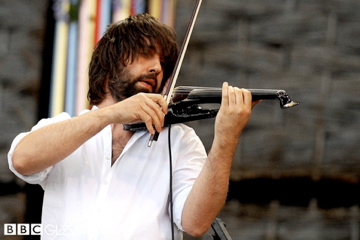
(296, 172)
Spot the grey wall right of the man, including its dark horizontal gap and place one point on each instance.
(296, 171)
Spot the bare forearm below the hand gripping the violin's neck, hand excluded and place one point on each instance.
(209, 192)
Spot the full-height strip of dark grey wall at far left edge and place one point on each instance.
(22, 28)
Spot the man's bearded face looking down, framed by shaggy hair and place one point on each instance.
(144, 74)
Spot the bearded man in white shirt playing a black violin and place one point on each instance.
(102, 182)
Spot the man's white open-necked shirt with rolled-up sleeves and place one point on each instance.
(87, 198)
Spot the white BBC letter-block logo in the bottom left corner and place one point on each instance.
(22, 229)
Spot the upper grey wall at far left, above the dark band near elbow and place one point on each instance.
(21, 35)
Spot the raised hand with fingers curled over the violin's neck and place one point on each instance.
(234, 113)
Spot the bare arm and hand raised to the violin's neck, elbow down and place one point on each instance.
(209, 191)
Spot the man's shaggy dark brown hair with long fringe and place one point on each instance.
(123, 42)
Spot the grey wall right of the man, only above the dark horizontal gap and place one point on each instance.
(310, 49)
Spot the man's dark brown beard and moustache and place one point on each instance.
(124, 86)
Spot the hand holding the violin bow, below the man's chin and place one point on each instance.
(142, 107)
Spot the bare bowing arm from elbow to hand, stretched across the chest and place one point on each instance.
(50, 144)
